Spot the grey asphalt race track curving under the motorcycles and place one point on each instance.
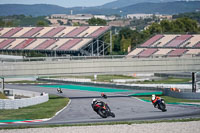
(125, 108)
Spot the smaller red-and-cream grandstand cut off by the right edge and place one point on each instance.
(168, 46)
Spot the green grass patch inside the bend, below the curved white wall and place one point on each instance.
(40, 111)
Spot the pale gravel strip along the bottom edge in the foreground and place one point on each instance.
(173, 127)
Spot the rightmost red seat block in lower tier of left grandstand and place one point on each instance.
(69, 44)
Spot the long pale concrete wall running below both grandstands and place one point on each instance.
(100, 66)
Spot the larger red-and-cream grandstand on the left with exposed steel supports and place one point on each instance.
(72, 40)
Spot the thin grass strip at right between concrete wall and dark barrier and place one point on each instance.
(168, 81)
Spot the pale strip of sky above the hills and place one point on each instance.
(63, 3)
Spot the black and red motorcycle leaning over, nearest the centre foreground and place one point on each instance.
(103, 110)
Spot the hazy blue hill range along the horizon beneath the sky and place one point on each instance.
(44, 9)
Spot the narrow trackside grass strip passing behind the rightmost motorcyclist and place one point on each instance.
(171, 99)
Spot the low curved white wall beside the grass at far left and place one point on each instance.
(19, 103)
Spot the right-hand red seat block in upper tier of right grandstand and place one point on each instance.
(178, 41)
